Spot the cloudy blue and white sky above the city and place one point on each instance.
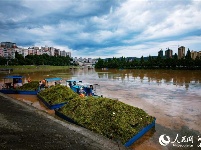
(103, 28)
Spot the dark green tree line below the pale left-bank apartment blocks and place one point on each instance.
(44, 59)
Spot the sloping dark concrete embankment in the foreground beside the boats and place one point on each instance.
(24, 127)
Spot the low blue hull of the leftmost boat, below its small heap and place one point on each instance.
(11, 91)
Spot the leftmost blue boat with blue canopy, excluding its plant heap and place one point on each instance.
(10, 87)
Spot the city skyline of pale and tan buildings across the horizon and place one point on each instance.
(10, 48)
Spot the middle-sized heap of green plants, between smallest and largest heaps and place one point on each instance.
(57, 94)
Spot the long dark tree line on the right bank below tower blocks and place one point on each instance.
(151, 63)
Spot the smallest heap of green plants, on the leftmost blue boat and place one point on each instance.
(32, 86)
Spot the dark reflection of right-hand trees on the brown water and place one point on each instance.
(175, 77)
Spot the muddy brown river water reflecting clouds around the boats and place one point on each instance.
(172, 96)
